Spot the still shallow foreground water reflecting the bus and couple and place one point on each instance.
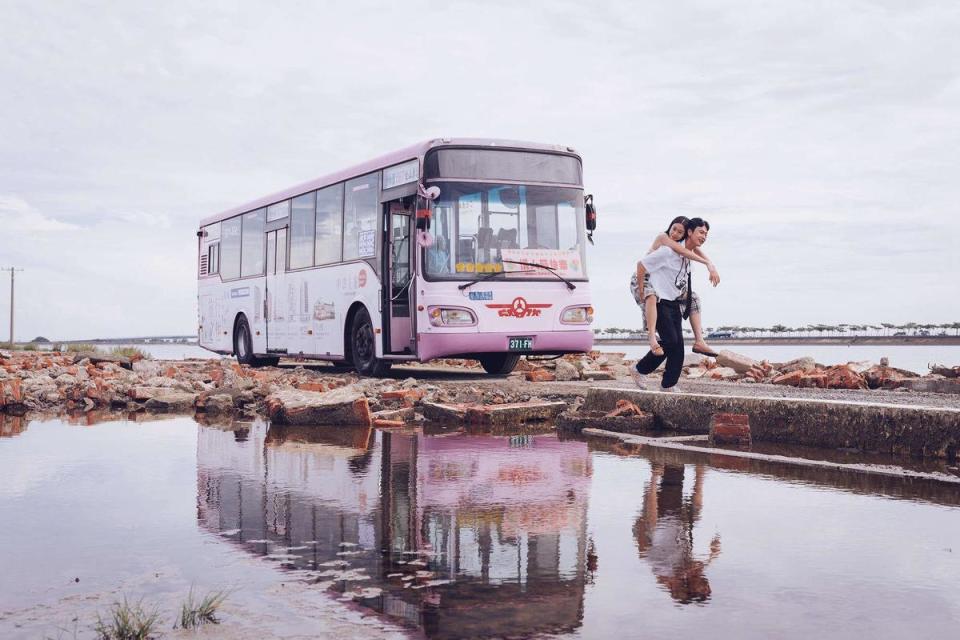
(456, 535)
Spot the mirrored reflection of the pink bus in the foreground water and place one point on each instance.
(499, 521)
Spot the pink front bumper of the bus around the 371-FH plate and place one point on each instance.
(466, 345)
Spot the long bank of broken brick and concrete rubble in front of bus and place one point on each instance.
(32, 381)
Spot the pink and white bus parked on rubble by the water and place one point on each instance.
(468, 248)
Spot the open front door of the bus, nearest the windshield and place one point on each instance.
(398, 291)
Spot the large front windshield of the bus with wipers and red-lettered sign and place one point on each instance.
(488, 227)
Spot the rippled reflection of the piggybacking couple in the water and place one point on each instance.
(664, 533)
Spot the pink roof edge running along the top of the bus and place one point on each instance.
(386, 160)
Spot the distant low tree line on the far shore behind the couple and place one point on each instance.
(817, 330)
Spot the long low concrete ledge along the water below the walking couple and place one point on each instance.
(868, 426)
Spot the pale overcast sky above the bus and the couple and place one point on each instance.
(820, 139)
